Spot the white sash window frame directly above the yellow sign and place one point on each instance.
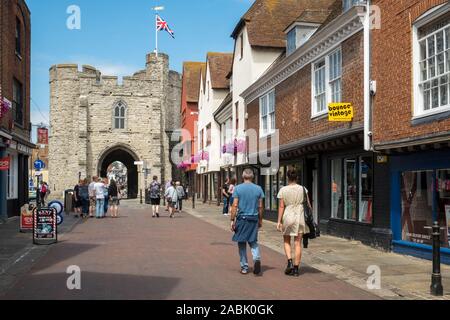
(327, 81)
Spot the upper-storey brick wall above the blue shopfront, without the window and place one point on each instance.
(392, 69)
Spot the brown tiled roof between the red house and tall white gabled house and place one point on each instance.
(220, 66)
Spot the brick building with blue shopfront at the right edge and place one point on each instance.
(411, 118)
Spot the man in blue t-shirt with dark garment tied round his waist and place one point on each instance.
(246, 220)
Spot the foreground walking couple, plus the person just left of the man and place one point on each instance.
(247, 208)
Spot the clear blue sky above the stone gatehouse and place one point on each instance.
(116, 35)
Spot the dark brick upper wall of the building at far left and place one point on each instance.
(11, 65)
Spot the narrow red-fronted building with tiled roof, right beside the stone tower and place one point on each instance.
(192, 73)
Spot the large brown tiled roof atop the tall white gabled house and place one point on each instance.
(266, 20)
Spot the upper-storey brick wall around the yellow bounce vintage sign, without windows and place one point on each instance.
(293, 98)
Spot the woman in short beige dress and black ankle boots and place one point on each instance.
(291, 220)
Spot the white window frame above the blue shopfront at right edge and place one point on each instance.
(430, 17)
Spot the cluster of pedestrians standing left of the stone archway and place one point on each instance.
(97, 198)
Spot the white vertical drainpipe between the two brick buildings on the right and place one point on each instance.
(367, 94)
